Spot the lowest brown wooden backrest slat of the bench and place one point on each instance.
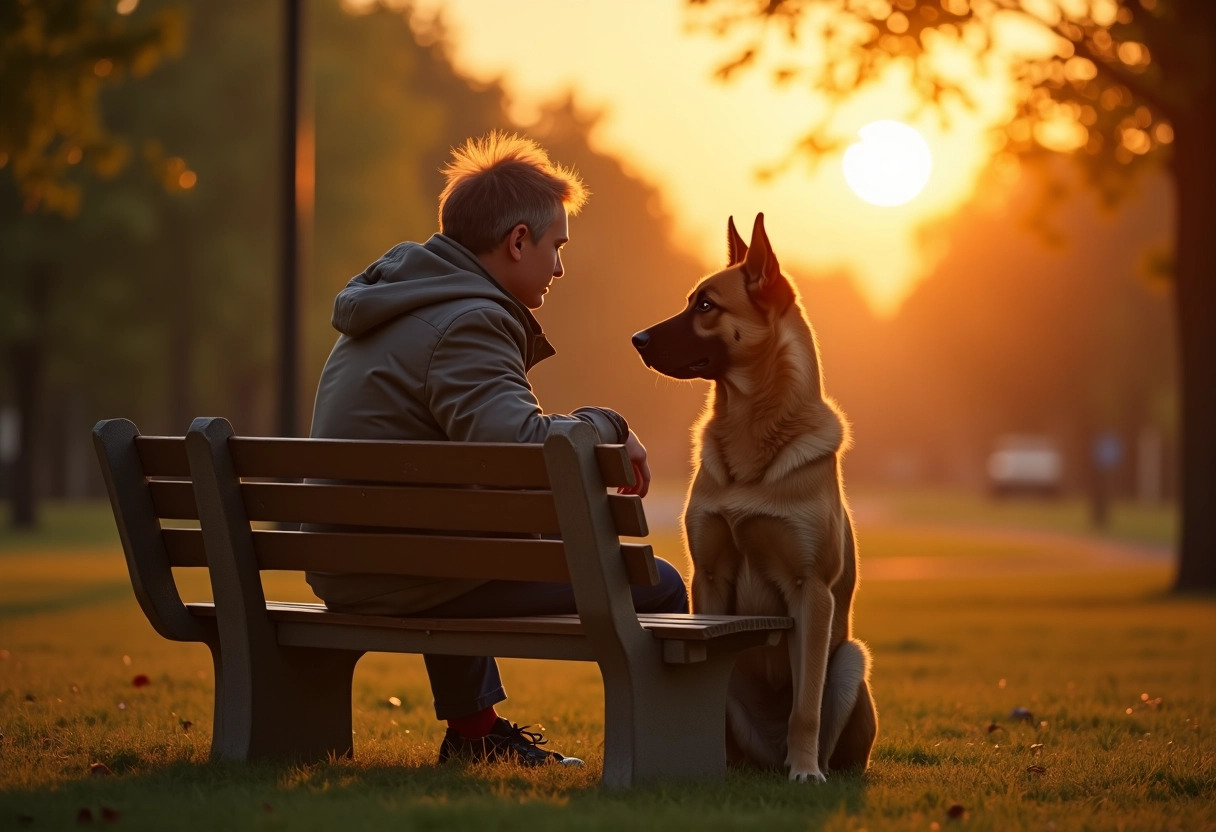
(429, 556)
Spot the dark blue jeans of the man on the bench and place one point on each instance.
(464, 685)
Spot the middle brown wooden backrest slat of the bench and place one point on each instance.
(403, 508)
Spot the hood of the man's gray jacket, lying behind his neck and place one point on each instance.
(412, 277)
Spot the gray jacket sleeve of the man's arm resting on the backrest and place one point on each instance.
(478, 391)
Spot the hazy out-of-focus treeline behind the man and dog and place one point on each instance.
(156, 303)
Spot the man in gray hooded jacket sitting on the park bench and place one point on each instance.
(436, 344)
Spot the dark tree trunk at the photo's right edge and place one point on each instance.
(1195, 176)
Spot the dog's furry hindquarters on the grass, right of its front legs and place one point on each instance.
(848, 722)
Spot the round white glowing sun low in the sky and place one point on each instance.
(890, 166)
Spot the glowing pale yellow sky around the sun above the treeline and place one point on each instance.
(702, 142)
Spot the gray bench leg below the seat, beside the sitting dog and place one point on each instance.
(667, 724)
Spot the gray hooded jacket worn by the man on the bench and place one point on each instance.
(432, 348)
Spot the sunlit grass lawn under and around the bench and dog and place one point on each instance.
(953, 660)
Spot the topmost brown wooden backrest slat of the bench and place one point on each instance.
(497, 465)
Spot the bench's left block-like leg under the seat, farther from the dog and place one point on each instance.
(294, 705)
